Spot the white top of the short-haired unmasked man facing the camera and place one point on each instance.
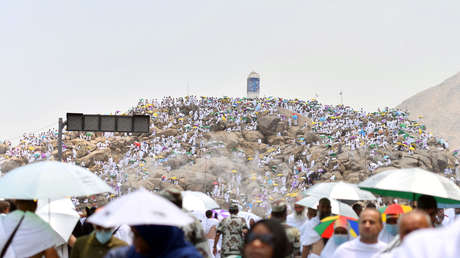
(356, 248)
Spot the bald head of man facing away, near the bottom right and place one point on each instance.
(413, 220)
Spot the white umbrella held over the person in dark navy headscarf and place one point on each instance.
(139, 208)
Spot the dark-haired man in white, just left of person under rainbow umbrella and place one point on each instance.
(310, 237)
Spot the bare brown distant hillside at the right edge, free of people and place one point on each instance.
(439, 108)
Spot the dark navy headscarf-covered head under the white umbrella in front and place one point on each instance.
(155, 240)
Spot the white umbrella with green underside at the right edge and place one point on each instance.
(410, 183)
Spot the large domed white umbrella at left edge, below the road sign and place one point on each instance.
(50, 180)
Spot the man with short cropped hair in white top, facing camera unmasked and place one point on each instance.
(367, 244)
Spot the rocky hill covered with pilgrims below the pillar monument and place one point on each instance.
(251, 150)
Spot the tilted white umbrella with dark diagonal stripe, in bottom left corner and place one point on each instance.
(33, 236)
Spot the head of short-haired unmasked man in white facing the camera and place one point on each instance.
(370, 225)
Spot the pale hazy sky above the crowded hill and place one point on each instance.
(98, 56)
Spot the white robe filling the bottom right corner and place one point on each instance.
(438, 242)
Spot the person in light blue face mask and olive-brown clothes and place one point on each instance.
(97, 244)
